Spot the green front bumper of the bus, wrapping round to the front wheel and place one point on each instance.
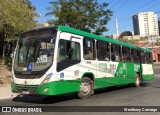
(51, 88)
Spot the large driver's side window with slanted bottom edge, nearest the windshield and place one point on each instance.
(68, 54)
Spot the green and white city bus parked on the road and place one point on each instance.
(58, 60)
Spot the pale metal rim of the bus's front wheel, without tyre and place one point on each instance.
(85, 88)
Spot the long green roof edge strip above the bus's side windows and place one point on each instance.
(98, 37)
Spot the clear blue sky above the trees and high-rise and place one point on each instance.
(123, 10)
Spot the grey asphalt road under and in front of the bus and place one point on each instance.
(146, 95)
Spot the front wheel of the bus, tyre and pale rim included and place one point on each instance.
(86, 88)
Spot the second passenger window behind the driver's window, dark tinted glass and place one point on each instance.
(103, 51)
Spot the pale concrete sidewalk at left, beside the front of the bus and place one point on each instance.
(5, 91)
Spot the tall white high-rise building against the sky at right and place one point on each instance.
(145, 24)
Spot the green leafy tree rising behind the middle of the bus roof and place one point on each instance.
(86, 15)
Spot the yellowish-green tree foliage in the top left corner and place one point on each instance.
(16, 16)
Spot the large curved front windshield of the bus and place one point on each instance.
(35, 51)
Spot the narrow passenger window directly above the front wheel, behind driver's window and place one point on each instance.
(88, 49)
